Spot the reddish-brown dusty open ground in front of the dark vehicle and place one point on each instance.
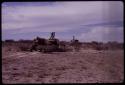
(87, 66)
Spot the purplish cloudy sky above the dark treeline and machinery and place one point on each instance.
(88, 21)
